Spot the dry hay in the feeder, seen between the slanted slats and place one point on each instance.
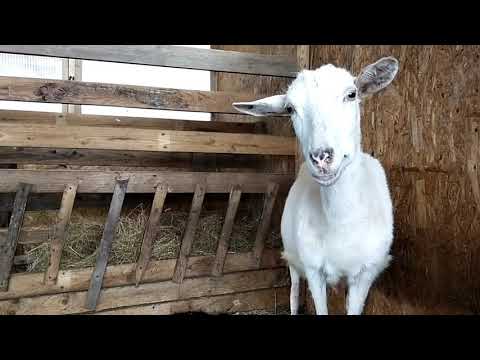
(85, 231)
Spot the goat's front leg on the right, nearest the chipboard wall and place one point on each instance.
(358, 288)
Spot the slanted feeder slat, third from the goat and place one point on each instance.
(187, 240)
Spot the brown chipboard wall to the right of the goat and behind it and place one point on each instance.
(424, 129)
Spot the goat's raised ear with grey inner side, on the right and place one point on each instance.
(376, 76)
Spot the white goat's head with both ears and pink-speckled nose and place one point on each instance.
(324, 105)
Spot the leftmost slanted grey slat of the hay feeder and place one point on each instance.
(7, 248)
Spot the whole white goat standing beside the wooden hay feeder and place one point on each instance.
(338, 218)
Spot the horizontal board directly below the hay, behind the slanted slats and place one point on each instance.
(32, 284)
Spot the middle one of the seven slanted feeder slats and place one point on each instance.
(151, 231)
